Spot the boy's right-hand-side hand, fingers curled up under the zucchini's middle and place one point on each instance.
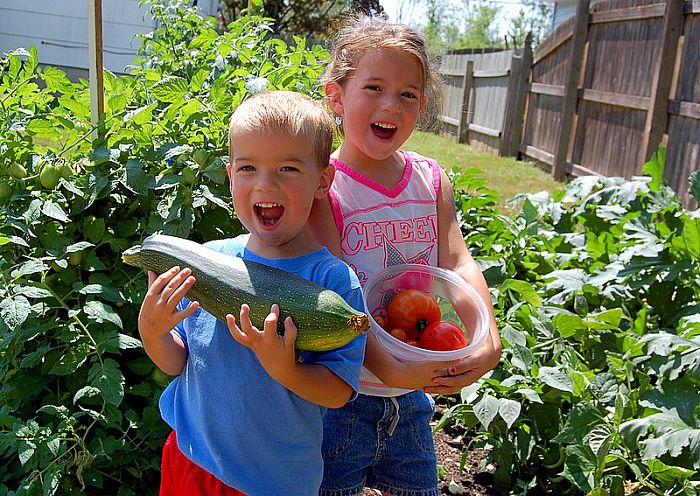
(276, 353)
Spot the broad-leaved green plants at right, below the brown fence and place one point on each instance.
(597, 292)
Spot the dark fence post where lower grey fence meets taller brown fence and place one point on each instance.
(517, 93)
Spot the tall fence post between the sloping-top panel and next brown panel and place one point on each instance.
(578, 41)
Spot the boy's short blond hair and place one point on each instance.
(290, 113)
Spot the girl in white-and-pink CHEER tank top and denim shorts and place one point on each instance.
(387, 206)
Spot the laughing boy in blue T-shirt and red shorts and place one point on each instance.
(245, 408)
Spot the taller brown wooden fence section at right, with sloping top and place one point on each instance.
(613, 83)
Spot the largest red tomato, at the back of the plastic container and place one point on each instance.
(413, 310)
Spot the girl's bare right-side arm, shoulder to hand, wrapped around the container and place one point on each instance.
(454, 255)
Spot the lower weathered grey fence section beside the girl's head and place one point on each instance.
(484, 91)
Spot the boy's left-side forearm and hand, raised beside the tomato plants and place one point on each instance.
(159, 315)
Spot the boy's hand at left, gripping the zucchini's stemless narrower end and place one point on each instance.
(159, 312)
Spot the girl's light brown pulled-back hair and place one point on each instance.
(360, 35)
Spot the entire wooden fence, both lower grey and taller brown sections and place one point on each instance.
(597, 97)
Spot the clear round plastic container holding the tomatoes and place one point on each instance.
(459, 303)
